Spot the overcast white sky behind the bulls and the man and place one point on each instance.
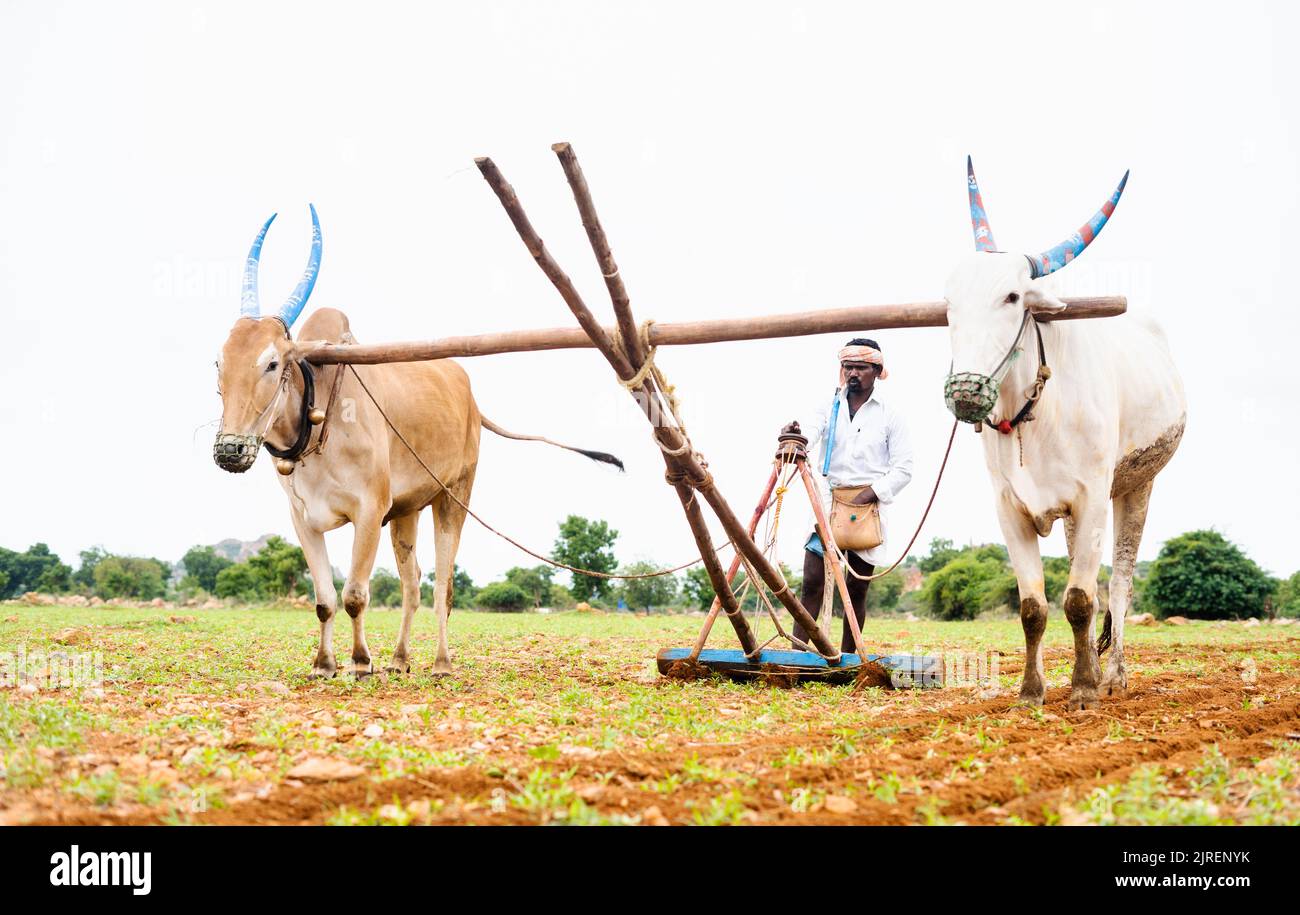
(747, 159)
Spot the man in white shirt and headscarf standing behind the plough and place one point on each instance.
(864, 444)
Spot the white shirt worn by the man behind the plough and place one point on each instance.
(872, 449)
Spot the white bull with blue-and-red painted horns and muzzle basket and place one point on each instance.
(1106, 424)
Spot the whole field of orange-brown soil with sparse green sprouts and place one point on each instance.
(544, 723)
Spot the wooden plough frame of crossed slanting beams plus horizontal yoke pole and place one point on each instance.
(622, 346)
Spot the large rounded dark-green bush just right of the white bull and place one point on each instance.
(1203, 575)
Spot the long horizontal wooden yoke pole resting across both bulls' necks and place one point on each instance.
(688, 333)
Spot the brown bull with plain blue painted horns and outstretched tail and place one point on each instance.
(341, 462)
